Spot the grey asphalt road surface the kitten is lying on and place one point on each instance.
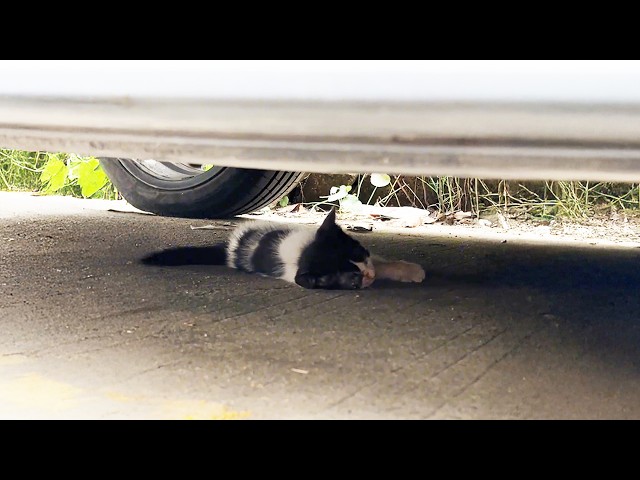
(497, 330)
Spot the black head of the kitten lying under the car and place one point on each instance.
(334, 260)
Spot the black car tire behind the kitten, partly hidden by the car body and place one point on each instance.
(184, 190)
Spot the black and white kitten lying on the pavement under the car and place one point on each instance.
(325, 258)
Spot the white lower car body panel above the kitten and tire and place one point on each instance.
(575, 120)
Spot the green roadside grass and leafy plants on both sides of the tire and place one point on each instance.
(70, 174)
